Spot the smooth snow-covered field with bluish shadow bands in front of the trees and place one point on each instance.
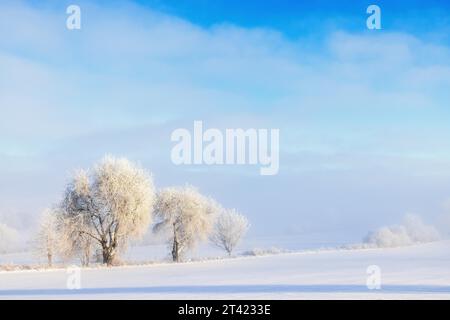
(414, 272)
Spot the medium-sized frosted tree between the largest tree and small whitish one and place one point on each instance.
(186, 215)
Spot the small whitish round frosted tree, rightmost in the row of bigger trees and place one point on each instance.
(229, 228)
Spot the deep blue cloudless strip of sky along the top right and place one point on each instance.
(294, 18)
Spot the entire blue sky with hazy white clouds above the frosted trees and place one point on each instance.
(363, 115)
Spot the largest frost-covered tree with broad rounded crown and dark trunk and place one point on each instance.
(110, 205)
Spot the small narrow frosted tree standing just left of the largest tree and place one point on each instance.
(47, 241)
